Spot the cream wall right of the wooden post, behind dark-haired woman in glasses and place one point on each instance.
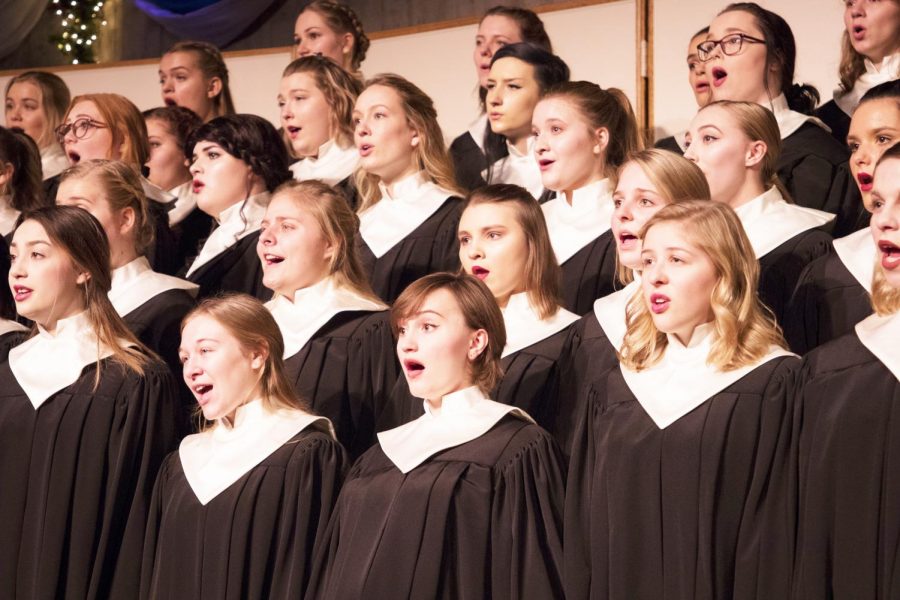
(817, 27)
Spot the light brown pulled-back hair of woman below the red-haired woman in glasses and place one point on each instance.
(121, 189)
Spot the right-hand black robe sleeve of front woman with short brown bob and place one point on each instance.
(526, 518)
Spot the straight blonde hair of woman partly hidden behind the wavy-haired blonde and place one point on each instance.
(675, 178)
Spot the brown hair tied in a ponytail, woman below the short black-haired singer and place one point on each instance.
(609, 108)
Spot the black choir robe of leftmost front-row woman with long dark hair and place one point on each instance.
(77, 476)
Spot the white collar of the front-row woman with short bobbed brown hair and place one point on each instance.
(465, 415)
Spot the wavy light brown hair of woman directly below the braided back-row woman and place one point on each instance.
(339, 88)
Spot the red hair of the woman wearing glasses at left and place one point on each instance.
(126, 124)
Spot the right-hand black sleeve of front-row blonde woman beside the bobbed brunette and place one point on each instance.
(312, 483)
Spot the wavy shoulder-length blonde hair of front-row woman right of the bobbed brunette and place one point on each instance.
(745, 329)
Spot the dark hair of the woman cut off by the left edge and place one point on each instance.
(20, 151)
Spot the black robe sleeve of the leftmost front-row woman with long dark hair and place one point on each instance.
(145, 431)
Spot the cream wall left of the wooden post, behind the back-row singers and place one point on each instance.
(596, 41)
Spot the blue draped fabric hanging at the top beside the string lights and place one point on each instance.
(219, 22)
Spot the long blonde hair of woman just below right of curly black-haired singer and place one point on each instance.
(339, 224)
